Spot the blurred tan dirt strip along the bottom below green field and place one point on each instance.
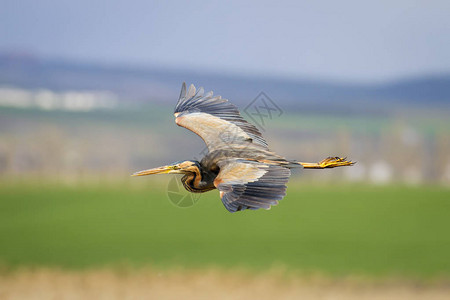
(203, 284)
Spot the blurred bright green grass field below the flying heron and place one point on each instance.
(337, 230)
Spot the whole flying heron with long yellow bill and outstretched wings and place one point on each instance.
(238, 163)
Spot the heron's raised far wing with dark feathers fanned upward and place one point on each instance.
(215, 120)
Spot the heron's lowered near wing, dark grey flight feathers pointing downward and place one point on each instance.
(251, 185)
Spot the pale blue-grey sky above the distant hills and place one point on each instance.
(339, 40)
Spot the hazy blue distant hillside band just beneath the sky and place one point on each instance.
(162, 85)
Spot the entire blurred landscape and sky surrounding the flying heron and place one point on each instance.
(87, 91)
